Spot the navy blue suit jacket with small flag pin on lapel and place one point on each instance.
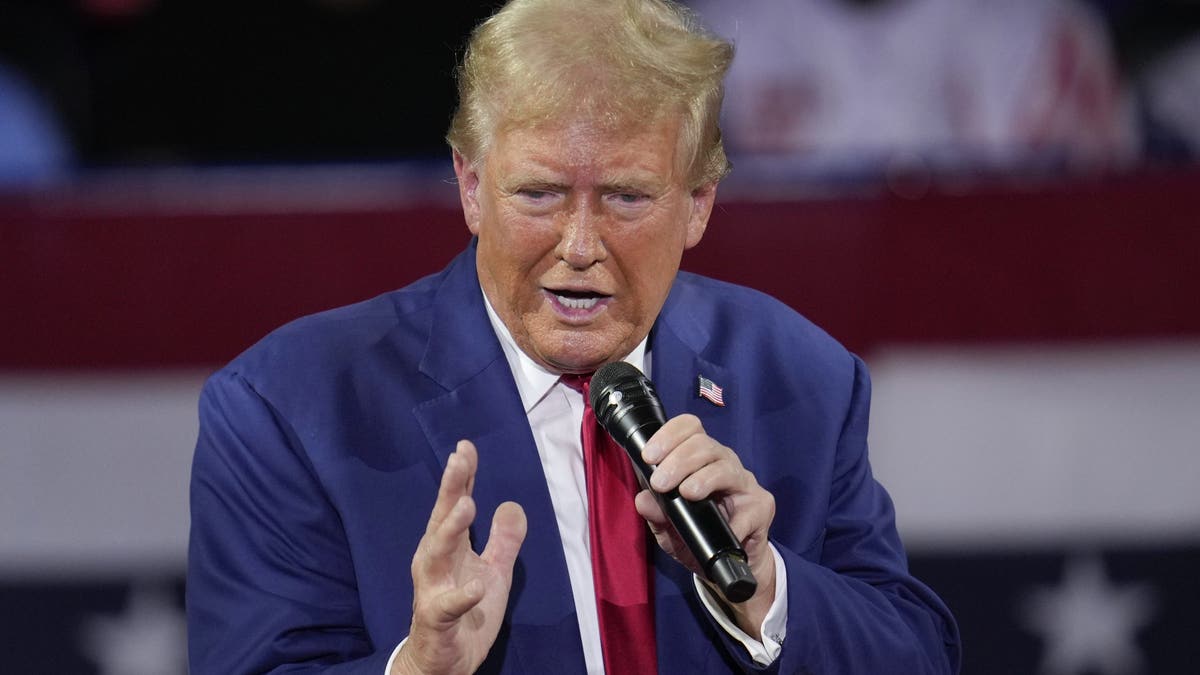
(321, 451)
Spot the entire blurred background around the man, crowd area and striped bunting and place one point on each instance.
(995, 204)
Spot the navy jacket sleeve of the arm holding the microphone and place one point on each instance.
(853, 607)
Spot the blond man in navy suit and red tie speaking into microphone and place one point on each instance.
(347, 464)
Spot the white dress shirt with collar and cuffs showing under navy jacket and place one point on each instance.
(556, 415)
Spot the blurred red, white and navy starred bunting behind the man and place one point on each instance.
(1035, 349)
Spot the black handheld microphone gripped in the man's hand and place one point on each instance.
(628, 408)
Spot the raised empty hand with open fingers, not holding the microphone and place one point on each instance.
(459, 598)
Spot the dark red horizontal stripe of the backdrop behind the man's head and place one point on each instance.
(88, 284)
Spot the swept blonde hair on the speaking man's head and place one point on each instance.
(622, 62)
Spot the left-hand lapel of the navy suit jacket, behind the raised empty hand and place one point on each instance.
(482, 404)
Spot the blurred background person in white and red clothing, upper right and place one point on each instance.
(860, 86)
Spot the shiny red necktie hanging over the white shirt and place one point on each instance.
(620, 558)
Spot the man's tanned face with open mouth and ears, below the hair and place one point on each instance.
(581, 231)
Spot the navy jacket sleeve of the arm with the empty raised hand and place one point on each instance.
(271, 583)
